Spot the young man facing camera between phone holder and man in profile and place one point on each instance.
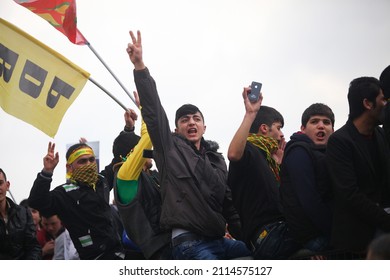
(305, 189)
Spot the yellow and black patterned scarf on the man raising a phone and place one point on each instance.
(269, 145)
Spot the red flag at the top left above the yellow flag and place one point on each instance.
(61, 14)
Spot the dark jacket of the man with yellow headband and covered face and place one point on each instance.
(83, 211)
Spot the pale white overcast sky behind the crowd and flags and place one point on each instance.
(201, 52)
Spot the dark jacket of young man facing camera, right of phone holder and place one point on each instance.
(305, 189)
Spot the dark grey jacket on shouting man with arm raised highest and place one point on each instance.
(194, 191)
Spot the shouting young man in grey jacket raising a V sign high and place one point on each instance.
(195, 195)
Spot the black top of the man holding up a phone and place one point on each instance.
(255, 191)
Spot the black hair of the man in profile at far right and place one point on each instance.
(360, 89)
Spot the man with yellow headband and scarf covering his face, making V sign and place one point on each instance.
(81, 203)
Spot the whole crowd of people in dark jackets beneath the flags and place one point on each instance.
(322, 194)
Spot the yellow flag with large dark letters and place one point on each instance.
(37, 84)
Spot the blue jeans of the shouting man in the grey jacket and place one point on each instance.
(210, 249)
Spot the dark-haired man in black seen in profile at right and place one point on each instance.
(358, 159)
